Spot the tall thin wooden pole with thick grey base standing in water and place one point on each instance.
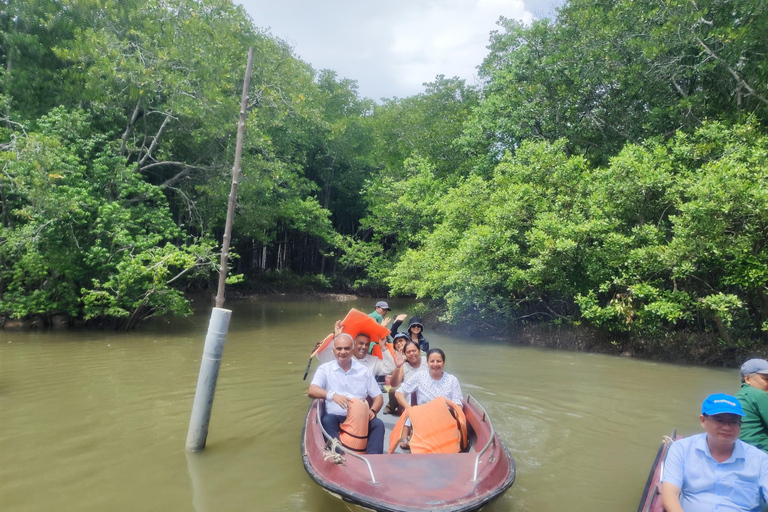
(219, 323)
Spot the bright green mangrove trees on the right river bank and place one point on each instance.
(616, 178)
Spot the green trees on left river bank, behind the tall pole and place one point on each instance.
(118, 139)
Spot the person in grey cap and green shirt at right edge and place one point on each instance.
(754, 402)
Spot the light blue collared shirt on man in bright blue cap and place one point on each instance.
(740, 484)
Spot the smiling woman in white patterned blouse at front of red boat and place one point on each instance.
(428, 386)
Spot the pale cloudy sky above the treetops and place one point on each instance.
(391, 48)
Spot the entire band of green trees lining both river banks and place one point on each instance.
(608, 176)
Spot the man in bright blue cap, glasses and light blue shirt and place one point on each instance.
(715, 470)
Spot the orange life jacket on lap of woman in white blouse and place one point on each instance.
(438, 426)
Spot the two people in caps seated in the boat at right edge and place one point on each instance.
(726, 467)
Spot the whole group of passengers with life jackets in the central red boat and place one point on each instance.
(353, 396)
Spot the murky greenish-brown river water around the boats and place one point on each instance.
(97, 420)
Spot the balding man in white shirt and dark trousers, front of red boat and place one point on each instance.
(339, 381)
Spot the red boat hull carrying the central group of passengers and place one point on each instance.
(407, 482)
